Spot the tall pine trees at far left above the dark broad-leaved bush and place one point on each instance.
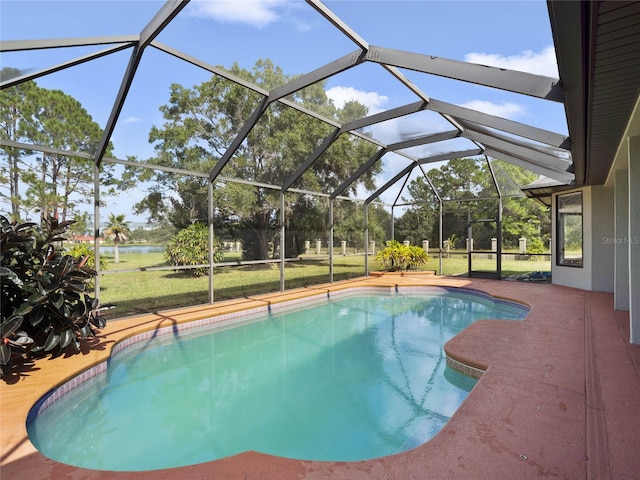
(48, 183)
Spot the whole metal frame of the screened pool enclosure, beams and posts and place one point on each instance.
(540, 151)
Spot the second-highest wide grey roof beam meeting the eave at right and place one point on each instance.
(527, 131)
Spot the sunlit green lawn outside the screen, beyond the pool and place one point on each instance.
(147, 291)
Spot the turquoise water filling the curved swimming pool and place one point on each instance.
(349, 379)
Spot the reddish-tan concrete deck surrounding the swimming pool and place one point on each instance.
(560, 397)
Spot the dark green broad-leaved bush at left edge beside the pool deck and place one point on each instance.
(45, 307)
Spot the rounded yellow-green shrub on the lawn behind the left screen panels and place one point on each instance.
(190, 246)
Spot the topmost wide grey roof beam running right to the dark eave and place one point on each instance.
(510, 80)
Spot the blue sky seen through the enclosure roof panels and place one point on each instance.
(509, 34)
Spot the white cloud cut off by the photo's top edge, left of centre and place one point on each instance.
(258, 13)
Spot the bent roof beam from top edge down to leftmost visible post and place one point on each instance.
(160, 20)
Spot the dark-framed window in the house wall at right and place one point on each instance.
(569, 230)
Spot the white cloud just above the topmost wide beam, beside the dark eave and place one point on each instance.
(540, 63)
